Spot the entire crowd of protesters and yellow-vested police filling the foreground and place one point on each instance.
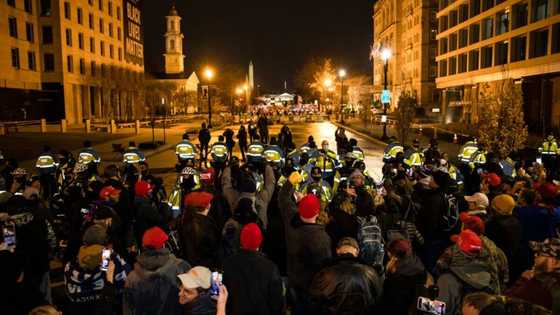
(282, 229)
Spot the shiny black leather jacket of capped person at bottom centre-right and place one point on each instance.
(347, 286)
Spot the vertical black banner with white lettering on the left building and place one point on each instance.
(133, 39)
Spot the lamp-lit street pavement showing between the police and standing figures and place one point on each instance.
(163, 163)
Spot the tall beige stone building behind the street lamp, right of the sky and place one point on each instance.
(408, 29)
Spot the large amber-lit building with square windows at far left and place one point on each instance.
(86, 54)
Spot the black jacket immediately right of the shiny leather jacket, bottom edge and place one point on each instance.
(399, 288)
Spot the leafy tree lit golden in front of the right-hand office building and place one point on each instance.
(502, 127)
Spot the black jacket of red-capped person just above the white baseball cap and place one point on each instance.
(200, 240)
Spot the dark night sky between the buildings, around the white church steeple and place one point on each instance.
(279, 36)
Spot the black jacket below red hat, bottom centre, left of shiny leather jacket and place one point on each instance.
(254, 284)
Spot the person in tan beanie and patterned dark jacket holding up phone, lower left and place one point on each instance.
(94, 280)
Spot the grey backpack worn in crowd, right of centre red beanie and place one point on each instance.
(370, 240)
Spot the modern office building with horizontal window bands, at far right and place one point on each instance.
(482, 43)
